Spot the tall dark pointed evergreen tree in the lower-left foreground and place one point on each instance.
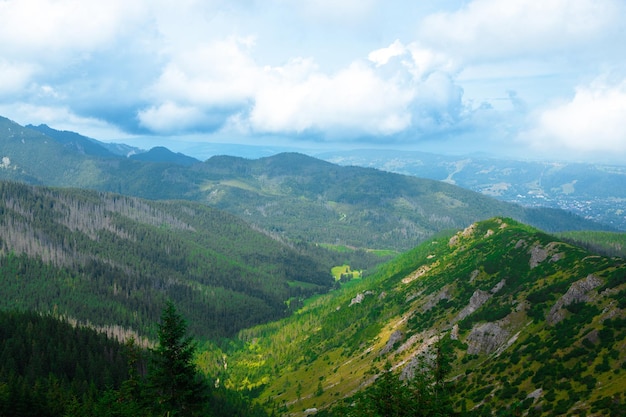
(174, 383)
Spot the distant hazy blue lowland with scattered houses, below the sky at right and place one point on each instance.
(596, 192)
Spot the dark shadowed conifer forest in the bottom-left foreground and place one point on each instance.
(50, 368)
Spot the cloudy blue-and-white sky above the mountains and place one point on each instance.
(523, 78)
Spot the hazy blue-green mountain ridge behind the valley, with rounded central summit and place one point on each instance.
(294, 196)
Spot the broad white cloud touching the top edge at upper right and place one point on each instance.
(495, 29)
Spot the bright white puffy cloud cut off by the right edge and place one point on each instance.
(593, 121)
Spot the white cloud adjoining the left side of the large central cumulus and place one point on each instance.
(209, 81)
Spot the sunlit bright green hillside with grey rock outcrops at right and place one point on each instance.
(537, 325)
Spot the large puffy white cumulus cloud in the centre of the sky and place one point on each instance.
(400, 93)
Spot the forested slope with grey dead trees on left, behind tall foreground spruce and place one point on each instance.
(112, 260)
